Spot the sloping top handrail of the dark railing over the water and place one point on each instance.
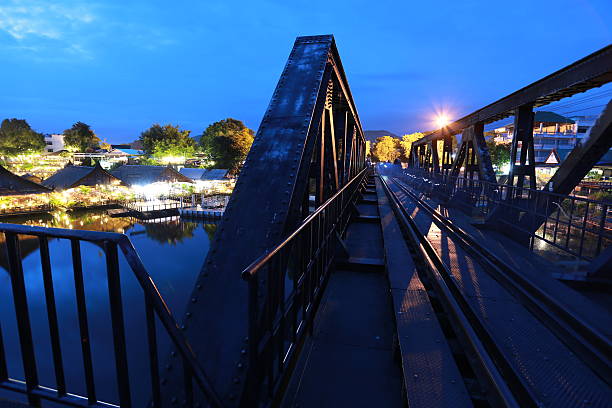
(152, 295)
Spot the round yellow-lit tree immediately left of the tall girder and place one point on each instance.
(227, 142)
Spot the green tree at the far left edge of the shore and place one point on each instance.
(16, 136)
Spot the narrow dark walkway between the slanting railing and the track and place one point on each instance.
(349, 360)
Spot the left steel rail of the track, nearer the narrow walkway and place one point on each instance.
(509, 390)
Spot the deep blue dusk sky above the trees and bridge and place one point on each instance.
(121, 66)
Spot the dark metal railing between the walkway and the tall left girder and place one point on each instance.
(285, 288)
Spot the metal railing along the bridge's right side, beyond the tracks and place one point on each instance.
(576, 226)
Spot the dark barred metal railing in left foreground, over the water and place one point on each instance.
(154, 304)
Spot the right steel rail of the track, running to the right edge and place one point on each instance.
(588, 342)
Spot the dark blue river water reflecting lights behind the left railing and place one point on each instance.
(171, 249)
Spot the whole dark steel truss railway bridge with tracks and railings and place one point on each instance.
(334, 283)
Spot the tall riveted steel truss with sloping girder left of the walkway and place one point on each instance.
(309, 144)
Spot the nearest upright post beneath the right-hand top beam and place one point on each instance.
(523, 135)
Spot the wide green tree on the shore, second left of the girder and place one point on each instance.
(167, 141)
